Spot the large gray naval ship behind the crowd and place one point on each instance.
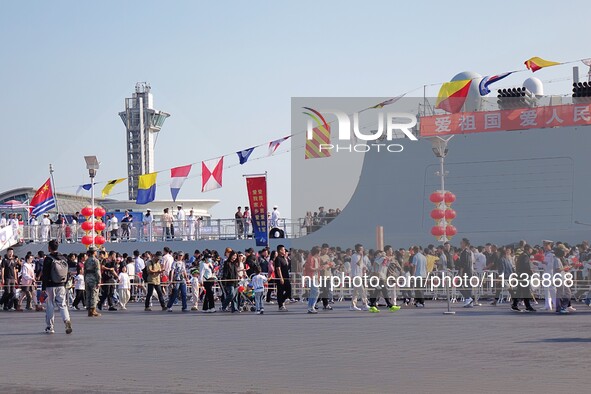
(526, 178)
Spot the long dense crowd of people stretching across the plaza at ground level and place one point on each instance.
(246, 280)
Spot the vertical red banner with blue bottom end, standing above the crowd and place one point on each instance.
(257, 196)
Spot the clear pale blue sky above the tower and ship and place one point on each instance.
(226, 71)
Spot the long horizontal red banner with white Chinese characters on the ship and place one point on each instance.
(506, 120)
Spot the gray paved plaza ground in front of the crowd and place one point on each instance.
(485, 349)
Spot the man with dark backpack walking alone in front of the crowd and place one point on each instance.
(53, 281)
